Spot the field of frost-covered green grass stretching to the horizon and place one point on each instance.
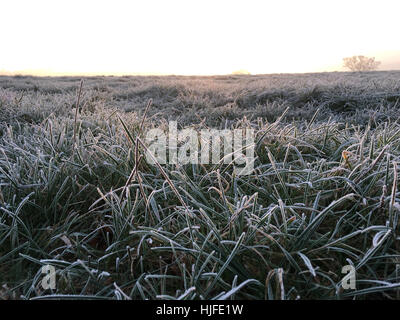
(76, 192)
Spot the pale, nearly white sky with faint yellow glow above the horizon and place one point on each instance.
(194, 37)
